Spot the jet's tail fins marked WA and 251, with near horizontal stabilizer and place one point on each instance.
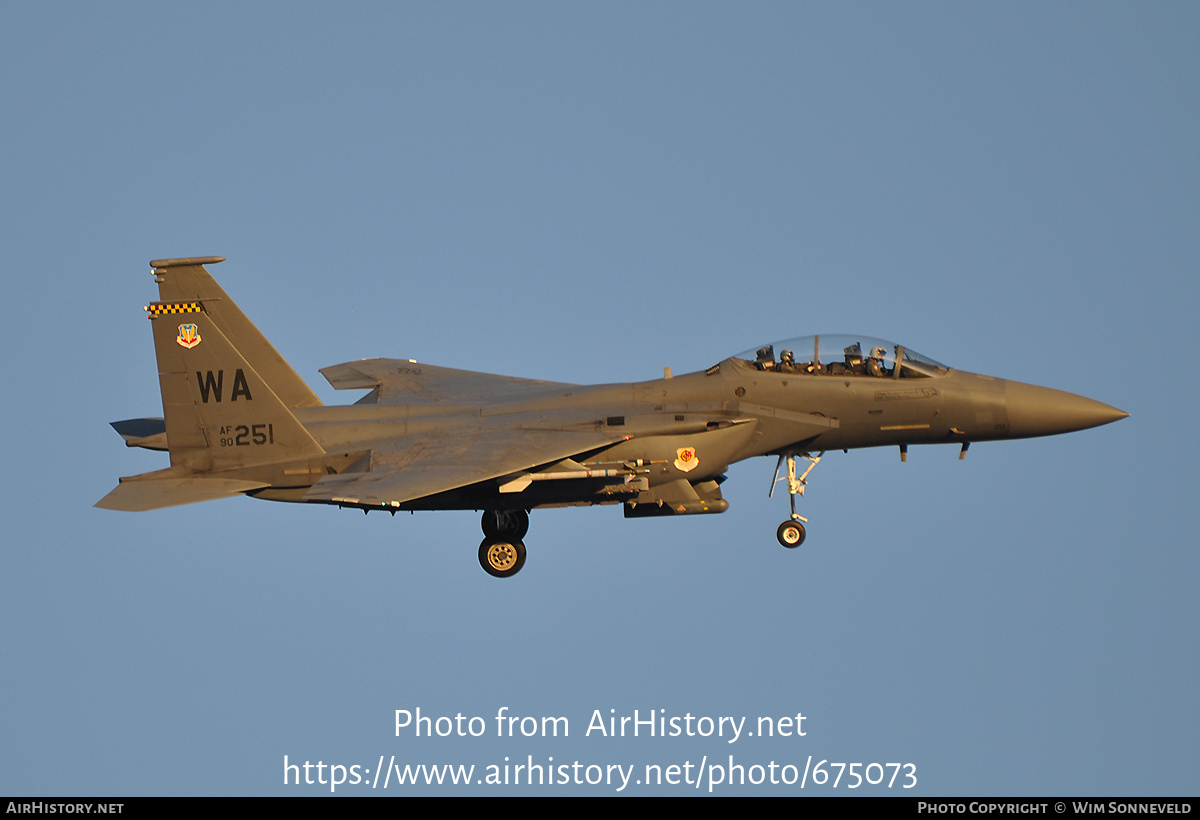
(227, 397)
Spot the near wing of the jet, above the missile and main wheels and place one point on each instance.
(421, 466)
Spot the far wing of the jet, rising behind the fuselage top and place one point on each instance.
(407, 382)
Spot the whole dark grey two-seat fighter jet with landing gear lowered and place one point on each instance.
(239, 421)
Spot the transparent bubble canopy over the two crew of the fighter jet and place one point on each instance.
(839, 355)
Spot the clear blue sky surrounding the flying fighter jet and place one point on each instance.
(590, 193)
